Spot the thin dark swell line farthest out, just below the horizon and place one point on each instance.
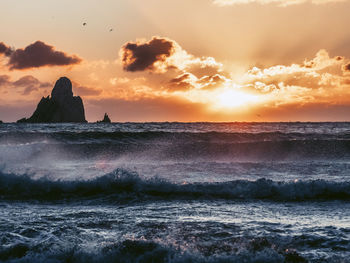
(144, 136)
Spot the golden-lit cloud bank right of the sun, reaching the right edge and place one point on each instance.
(319, 80)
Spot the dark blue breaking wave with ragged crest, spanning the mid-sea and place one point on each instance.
(127, 186)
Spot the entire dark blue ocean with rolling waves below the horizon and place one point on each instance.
(175, 192)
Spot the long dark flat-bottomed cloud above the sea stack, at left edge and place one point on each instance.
(36, 55)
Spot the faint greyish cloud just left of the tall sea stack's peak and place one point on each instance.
(25, 85)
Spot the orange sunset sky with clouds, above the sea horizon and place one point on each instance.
(184, 60)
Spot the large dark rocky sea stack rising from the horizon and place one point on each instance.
(62, 106)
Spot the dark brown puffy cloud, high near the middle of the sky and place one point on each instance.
(143, 56)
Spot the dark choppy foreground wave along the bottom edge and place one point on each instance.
(148, 251)
